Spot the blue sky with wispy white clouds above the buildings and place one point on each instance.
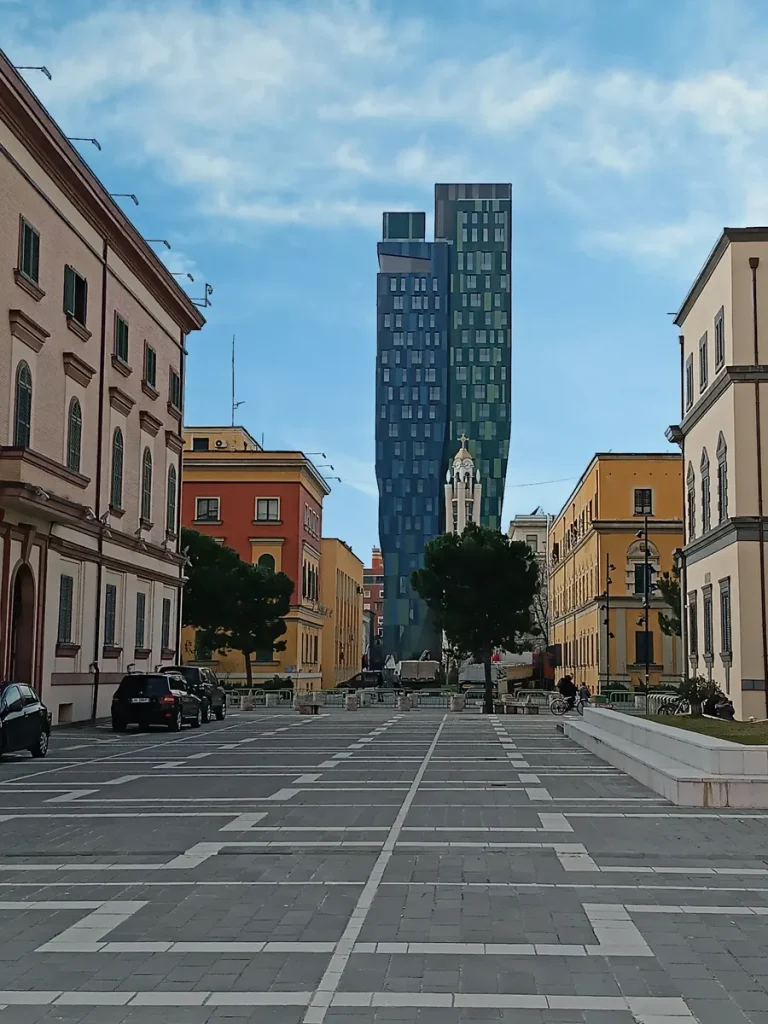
(265, 140)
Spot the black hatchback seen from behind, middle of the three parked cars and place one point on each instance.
(157, 699)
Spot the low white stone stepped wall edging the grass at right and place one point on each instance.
(690, 770)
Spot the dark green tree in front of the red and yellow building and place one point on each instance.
(233, 605)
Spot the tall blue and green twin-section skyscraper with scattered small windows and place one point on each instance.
(444, 363)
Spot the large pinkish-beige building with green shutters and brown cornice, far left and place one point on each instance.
(93, 335)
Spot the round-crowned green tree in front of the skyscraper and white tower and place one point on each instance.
(481, 587)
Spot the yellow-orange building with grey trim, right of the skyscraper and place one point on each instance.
(596, 542)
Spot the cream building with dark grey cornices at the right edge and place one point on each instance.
(724, 439)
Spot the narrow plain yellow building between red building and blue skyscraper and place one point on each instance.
(342, 594)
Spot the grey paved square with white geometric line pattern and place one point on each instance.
(369, 868)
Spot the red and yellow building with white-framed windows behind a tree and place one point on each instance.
(268, 506)
